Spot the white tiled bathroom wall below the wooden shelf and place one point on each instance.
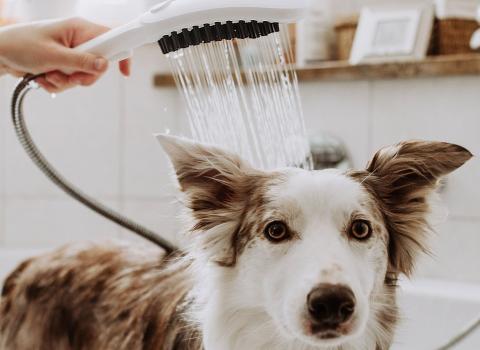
(101, 139)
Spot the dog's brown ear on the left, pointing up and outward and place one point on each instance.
(221, 188)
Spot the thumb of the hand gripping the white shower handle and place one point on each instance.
(69, 60)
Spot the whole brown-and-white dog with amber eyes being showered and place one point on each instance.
(285, 259)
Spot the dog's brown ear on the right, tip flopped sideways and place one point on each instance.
(402, 178)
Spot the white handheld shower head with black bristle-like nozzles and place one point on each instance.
(178, 24)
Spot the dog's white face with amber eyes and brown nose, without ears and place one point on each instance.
(317, 255)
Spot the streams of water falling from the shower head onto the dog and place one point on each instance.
(242, 95)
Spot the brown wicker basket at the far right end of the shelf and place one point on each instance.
(452, 36)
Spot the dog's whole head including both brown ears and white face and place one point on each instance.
(314, 250)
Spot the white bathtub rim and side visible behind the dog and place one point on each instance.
(433, 311)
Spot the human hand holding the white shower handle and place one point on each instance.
(46, 47)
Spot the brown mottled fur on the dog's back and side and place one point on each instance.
(97, 297)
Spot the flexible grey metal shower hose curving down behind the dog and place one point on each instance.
(37, 157)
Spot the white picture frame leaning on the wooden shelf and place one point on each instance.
(393, 33)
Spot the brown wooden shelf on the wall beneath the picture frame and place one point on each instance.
(434, 66)
